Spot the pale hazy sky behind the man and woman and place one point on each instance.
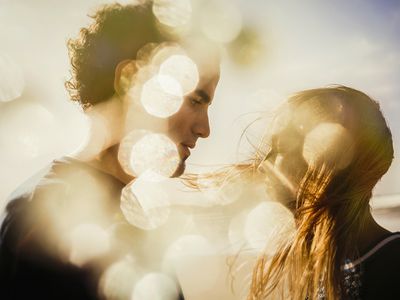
(292, 46)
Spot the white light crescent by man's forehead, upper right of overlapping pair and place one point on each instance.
(183, 70)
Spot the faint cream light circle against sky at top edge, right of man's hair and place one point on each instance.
(221, 21)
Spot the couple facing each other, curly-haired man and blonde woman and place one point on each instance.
(324, 153)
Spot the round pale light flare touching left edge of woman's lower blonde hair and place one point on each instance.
(267, 224)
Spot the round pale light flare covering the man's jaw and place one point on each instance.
(141, 151)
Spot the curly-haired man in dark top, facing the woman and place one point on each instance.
(58, 240)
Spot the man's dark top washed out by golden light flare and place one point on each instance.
(35, 223)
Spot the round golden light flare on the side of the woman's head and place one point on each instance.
(330, 143)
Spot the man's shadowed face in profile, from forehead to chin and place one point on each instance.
(191, 121)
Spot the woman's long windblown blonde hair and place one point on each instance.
(331, 198)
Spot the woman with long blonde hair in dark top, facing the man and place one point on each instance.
(326, 150)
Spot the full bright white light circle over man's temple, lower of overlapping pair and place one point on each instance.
(162, 96)
